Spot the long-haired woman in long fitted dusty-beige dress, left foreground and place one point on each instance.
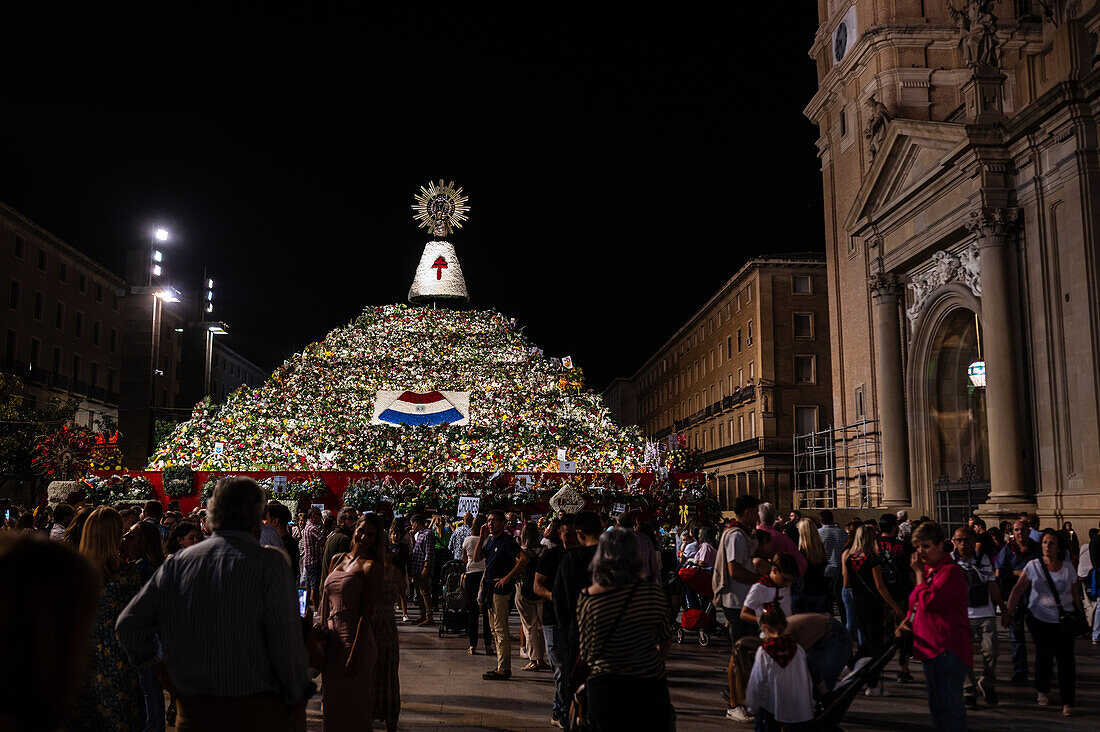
(353, 591)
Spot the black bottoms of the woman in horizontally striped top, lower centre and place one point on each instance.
(629, 703)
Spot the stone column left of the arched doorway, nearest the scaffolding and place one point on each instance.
(894, 439)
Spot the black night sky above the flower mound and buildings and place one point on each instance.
(617, 176)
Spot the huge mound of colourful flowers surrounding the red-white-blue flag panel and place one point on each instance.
(315, 412)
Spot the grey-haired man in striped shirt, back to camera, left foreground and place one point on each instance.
(221, 622)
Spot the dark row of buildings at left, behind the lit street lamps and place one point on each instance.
(73, 329)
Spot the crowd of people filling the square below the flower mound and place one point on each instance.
(280, 602)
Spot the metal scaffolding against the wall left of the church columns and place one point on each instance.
(839, 468)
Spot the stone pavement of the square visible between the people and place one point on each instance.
(443, 689)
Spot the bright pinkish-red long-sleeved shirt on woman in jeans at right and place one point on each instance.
(941, 622)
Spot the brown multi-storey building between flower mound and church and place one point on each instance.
(742, 377)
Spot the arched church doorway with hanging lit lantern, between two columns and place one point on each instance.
(958, 400)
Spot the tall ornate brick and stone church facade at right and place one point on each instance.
(960, 149)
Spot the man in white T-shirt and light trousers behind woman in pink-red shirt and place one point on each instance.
(983, 596)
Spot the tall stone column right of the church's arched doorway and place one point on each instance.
(996, 236)
